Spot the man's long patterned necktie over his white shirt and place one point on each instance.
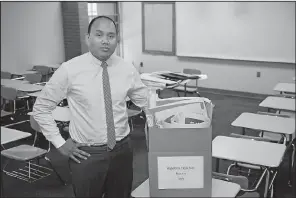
(111, 139)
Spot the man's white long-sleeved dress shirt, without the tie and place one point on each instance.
(80, 81)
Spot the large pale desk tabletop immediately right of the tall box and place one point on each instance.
(248, 151)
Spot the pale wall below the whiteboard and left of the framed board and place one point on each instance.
(222, 74)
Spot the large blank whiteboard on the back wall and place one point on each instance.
(255, 31)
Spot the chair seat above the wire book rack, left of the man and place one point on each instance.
(23, 152)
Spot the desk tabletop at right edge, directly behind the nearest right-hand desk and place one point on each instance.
(268, 123)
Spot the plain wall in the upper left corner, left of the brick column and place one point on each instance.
(31, 33)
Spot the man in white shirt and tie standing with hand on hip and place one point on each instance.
(96, 85)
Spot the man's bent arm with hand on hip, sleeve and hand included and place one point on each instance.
(54, 91)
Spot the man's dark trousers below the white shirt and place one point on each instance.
(104, 173)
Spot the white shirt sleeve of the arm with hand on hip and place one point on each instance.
(51, 95)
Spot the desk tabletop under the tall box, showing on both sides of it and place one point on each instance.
(220, 188)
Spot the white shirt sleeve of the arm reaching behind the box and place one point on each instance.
(138, 93)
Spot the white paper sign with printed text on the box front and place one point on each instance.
(180, 172)
